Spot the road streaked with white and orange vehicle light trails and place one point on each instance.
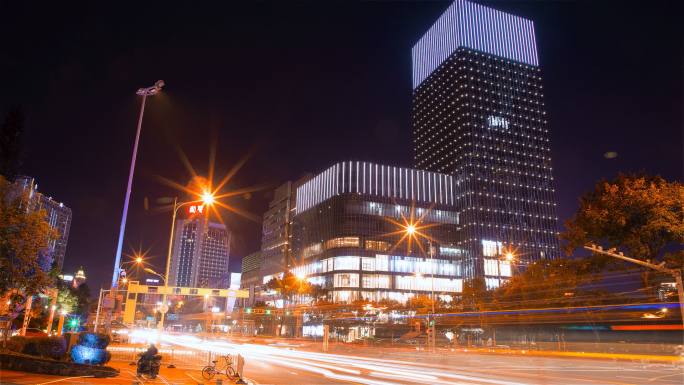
(295, 364)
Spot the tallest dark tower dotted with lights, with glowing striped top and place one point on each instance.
(478, 114)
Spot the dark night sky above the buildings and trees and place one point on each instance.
(299, 86)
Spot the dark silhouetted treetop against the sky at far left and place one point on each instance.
(11, 133)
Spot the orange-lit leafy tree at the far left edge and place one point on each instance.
(23, 239)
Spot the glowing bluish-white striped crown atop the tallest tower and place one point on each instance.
(470, 25)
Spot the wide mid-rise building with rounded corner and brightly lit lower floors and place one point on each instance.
(350, 233)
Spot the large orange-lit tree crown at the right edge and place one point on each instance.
(642, 216)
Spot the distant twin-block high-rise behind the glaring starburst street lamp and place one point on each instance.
(200, 256)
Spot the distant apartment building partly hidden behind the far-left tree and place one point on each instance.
(57, 215)
